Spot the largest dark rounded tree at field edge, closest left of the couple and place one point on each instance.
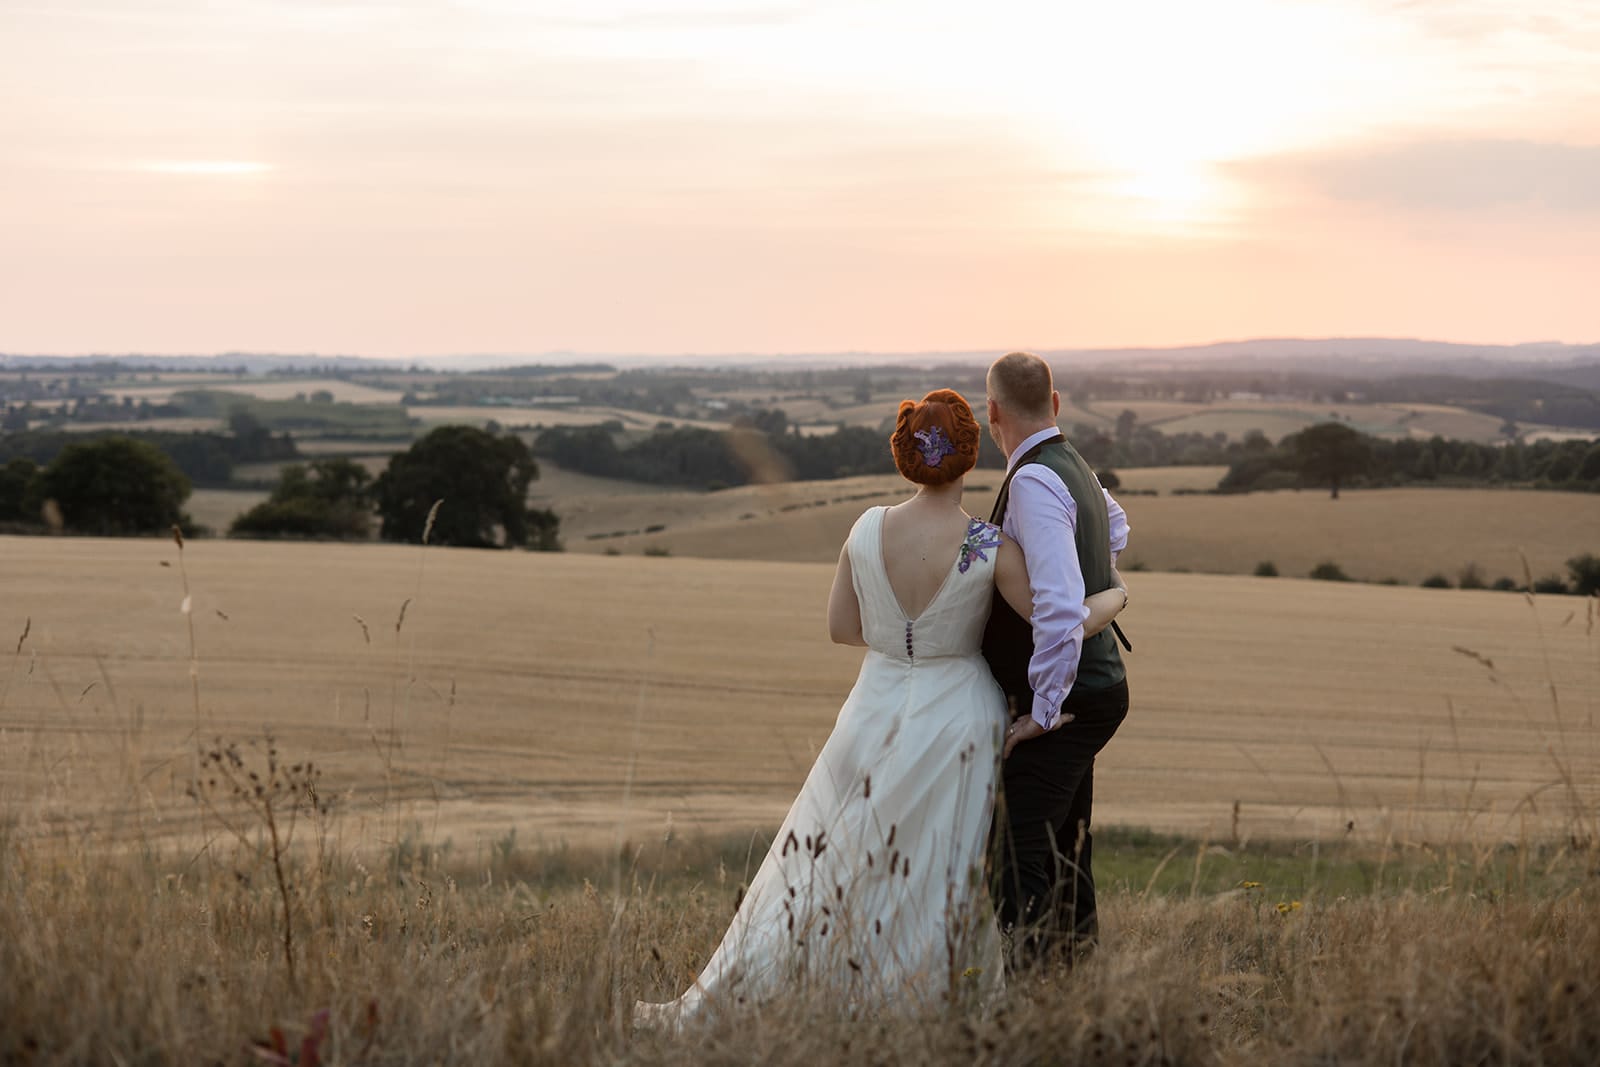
(481, 479)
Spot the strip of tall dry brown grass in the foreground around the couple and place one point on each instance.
(175, 959)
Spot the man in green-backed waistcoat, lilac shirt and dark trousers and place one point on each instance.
(1068, 693)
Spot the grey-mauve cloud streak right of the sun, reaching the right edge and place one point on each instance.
(1478, 175)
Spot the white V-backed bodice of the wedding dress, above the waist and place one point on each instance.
(953, 625)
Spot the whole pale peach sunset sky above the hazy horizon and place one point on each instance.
(420, 178)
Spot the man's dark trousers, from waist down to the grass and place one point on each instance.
(1044, 877)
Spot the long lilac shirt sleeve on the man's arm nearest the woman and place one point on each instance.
(1041, 511)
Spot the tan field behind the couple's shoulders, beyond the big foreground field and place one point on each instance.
(1372, 533)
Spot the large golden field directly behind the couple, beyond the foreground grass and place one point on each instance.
(590, 698)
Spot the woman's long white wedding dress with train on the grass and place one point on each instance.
(873, 895)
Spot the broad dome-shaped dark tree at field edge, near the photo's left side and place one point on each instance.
(116, 487)
